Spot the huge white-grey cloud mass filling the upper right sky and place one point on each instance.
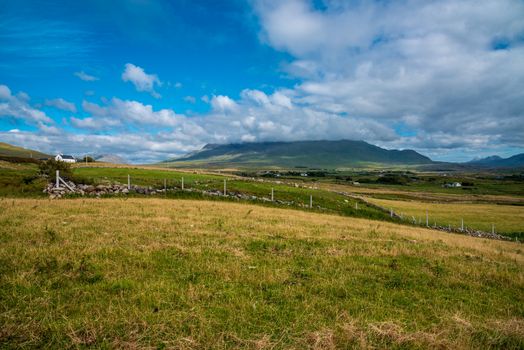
(434, 67)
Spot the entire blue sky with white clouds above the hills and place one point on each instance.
(151, 80)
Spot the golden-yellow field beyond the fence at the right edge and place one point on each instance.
(508, 219)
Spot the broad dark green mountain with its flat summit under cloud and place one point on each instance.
(312, 154)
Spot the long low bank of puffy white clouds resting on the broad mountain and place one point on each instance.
(256, 116)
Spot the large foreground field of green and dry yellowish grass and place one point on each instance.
(159, 273)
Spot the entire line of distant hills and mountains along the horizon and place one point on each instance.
(297, 154)
